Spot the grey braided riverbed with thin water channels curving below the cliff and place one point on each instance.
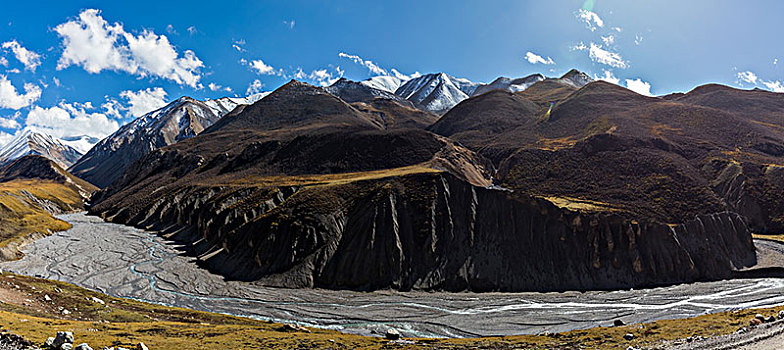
(127, 262)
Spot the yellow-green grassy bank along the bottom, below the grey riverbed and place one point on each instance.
(106, 321)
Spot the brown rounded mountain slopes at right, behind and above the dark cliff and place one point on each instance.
(650, 156)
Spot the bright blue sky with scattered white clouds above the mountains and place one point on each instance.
(86, 67)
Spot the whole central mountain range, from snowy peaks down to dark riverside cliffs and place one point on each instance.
(532, 183)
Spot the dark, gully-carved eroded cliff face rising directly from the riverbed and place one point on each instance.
(433, 231)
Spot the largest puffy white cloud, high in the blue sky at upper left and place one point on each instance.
(92, 43)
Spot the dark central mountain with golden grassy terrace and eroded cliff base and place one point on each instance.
(304, 190)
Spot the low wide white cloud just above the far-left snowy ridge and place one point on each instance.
(68, 119)
